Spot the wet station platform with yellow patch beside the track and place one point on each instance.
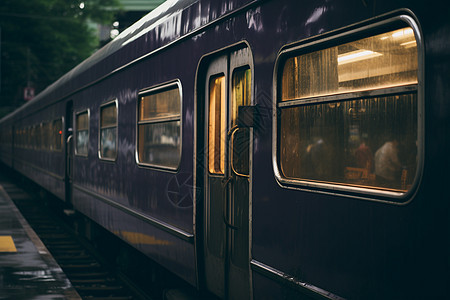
(27, 269)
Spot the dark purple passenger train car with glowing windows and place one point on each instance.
(261, 149)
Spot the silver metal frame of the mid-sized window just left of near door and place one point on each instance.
(153, 90)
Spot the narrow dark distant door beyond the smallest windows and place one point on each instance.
(68, 128)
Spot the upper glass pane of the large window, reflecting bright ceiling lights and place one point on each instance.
(380, 61)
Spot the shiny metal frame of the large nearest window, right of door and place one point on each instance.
(335, 38)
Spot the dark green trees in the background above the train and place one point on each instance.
(43, 39)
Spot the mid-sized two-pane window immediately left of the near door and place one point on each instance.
(159, 126)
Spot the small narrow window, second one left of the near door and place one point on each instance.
(108, 131)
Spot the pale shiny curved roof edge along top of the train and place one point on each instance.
(167, 23)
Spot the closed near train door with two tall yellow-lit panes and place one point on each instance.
(227, 180)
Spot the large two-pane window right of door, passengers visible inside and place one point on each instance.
(348, 115)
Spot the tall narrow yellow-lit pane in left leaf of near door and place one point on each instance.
(217, 124)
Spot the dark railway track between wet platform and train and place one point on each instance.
(90, 276)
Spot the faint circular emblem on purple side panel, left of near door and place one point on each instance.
(180, 190)
